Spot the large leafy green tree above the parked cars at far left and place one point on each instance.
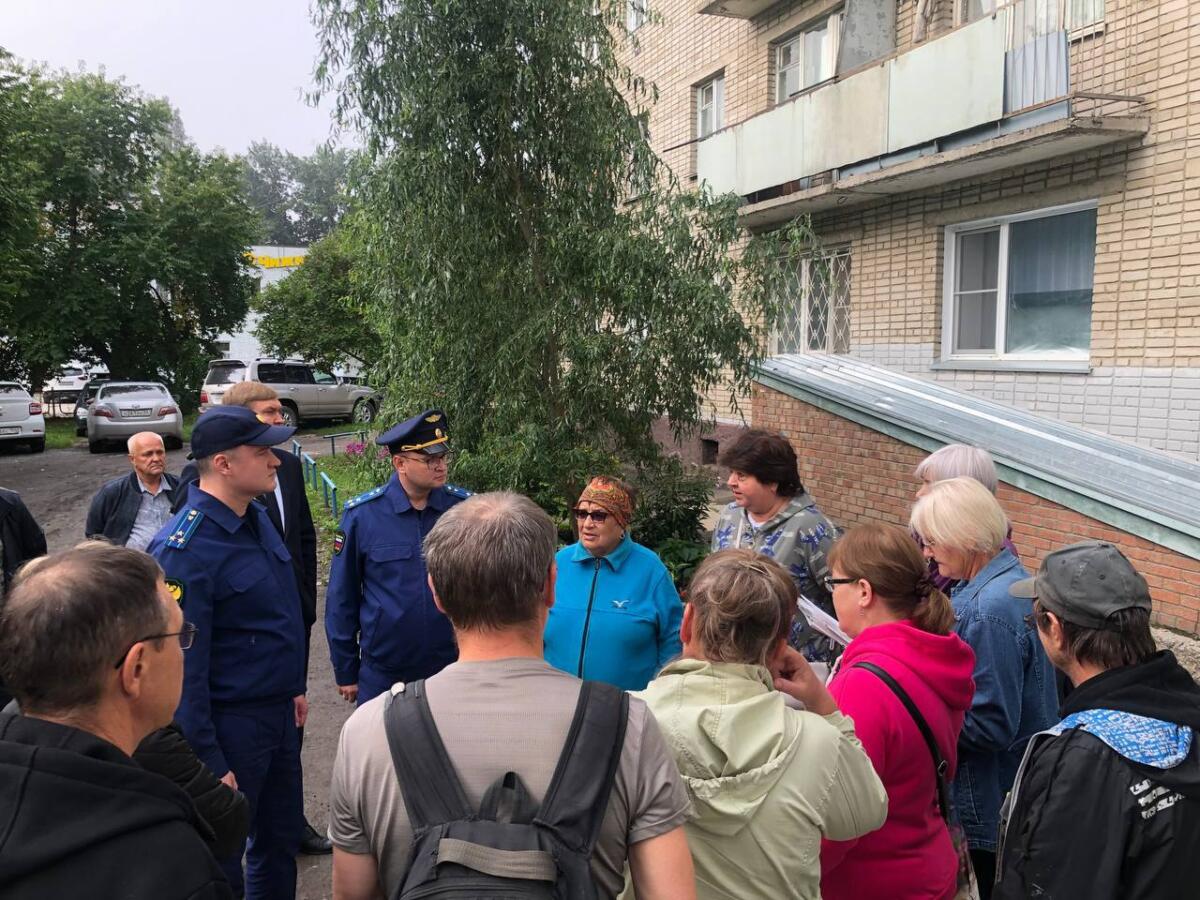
(135, 253)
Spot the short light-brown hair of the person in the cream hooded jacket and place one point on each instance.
(745, 604)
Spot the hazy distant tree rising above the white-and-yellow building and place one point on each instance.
(301, 199)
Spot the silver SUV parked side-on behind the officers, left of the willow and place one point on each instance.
(304, 392)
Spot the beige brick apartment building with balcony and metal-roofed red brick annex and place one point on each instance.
(1007, 197)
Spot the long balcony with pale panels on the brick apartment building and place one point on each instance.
(987, 97)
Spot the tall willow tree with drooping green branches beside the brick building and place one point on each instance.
(536, 268)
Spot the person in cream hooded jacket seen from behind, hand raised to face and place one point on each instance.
(767, 782)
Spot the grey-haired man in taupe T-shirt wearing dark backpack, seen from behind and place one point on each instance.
(514, 778)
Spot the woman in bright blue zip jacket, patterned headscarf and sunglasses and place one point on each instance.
(616, 616)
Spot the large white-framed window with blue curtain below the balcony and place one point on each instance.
(1021, 287)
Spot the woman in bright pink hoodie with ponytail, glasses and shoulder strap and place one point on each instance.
(904, 626)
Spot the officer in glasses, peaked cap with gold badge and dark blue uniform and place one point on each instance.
(380, 615)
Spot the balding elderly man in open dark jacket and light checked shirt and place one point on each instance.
(131, 509)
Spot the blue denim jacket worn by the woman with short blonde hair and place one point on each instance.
(1015, 694)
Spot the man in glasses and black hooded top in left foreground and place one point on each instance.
(92, 645)
